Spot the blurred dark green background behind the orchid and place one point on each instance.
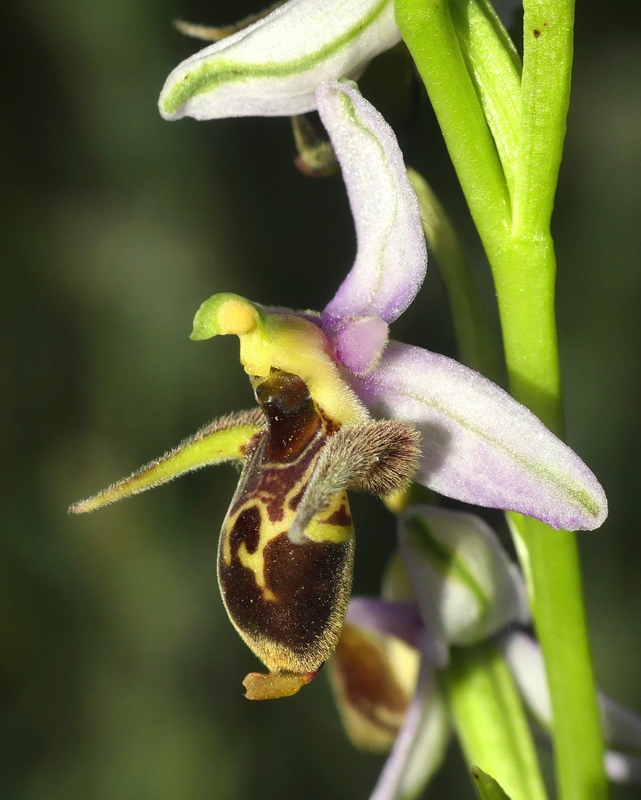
(120, 676)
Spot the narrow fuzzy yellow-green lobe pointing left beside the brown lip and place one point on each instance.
(223, 440)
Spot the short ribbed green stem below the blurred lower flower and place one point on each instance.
(490, 721)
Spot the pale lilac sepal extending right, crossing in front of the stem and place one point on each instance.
(479, 445)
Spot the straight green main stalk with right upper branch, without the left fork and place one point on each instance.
(532, 359)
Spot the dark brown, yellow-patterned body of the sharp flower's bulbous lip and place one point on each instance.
(286, 600)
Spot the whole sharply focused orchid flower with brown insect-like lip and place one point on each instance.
(342, 408)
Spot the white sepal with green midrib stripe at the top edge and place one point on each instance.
(272, 68)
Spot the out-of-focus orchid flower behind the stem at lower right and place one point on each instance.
(450, 584)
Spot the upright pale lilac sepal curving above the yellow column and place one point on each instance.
(391, 258)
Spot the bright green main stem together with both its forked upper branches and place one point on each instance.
(521, 253)
